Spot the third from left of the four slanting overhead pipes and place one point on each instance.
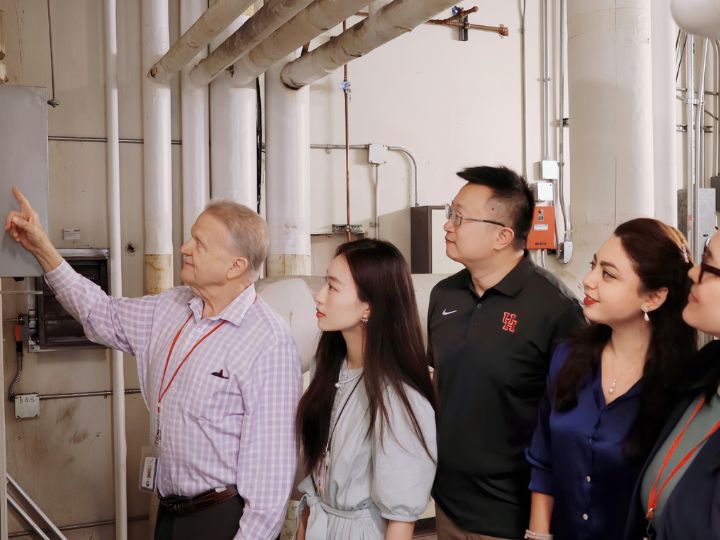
(319, 17)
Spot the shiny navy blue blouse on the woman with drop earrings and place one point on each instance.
(577, 457)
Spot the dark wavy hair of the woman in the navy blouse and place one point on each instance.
(660, 257)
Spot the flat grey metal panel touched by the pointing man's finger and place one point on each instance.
(23, 163)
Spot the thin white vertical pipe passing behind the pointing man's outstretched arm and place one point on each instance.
(112, 130)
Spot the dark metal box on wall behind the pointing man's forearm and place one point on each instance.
(55, 328)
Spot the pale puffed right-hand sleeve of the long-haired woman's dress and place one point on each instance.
(403, 472)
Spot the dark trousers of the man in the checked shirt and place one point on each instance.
(219, 522)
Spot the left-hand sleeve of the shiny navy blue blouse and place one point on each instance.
(539, 454)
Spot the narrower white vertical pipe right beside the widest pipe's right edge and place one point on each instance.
(664, 33)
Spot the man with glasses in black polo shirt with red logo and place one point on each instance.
(492, 328)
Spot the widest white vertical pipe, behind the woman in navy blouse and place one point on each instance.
(610, 91)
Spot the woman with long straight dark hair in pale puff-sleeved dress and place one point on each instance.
(367, 421)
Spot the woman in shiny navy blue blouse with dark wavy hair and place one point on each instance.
(610, 387)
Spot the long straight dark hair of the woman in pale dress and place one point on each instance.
(394, 352)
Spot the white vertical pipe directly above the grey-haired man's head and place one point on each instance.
(233, 148)
